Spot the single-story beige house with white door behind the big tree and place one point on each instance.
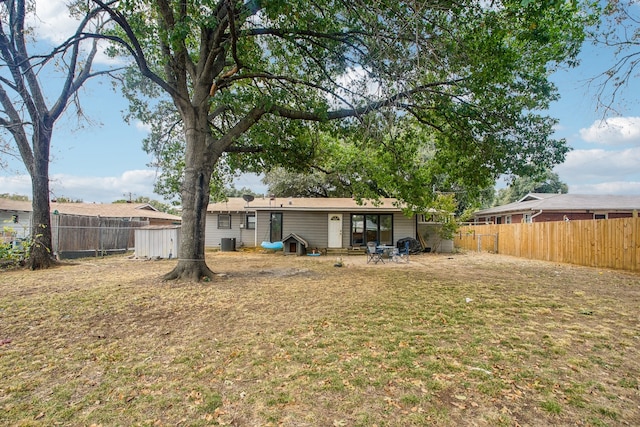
(323, 223)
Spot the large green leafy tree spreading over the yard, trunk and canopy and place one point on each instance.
(249, 76)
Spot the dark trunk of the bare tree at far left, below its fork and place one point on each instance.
(40, 255)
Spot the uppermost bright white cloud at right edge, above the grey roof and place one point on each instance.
(613, 131)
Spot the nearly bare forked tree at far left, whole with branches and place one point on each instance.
(30, 106)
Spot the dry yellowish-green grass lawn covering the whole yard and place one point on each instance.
(466, 339)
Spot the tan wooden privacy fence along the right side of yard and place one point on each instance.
(606, 243)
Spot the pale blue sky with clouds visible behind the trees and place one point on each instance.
(102, 160)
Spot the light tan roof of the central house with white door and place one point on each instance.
(237, 204)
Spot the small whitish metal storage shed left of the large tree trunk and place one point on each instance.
(157, 241)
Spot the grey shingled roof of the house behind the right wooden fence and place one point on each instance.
(565, 203)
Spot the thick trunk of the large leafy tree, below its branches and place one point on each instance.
(195, 200)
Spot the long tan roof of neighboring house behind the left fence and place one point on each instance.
(107, 210)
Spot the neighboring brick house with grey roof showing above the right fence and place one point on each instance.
(542, 207)
